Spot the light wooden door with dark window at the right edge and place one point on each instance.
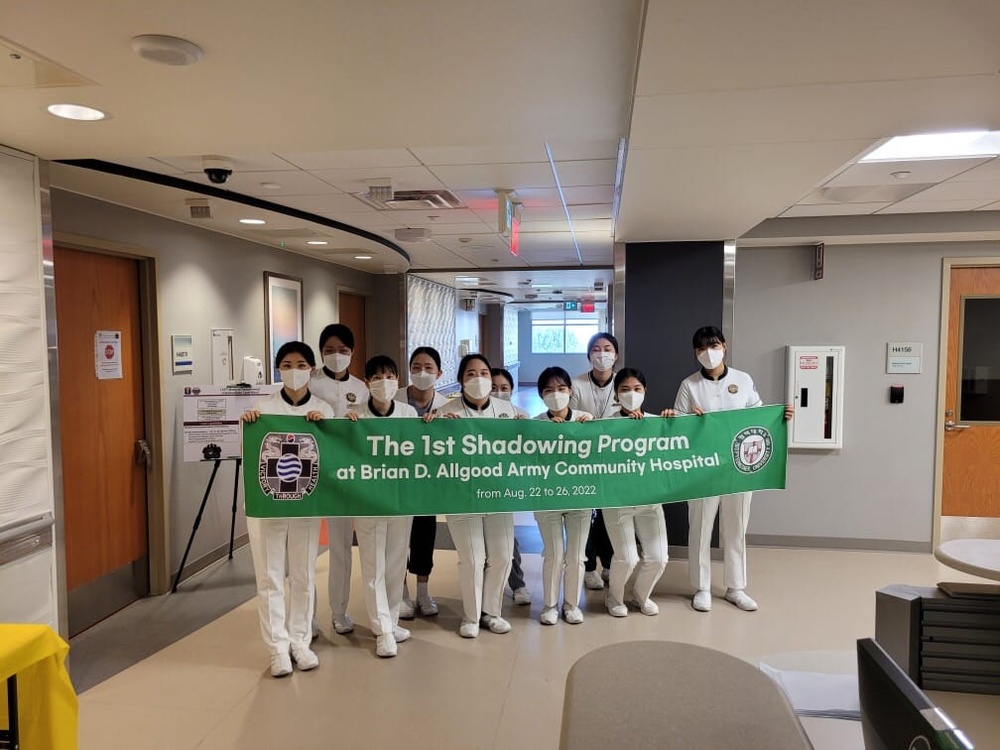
(971, 470)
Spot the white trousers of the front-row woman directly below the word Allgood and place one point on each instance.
(485, 546)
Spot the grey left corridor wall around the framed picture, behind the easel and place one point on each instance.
(204, 280)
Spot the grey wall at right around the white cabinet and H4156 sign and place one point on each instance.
(881, 485)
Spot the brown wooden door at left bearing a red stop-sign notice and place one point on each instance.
(104, 486)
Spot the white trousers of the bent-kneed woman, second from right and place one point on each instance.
(624, 524)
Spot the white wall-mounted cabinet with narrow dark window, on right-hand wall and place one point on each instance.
(816, 390)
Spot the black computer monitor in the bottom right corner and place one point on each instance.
(895, 713)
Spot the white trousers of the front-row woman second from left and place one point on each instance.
(383, 544)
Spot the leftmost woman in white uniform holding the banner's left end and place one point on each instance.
(273, 540)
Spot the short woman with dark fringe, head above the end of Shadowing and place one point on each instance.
(563, 532)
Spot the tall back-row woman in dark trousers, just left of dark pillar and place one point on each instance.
(593, 392)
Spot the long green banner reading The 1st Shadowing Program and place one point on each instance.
(387, 467)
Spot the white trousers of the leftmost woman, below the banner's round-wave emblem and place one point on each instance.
(271, 541)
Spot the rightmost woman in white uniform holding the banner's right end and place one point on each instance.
(717, 387)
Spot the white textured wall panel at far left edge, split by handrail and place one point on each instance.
(28, 584)
